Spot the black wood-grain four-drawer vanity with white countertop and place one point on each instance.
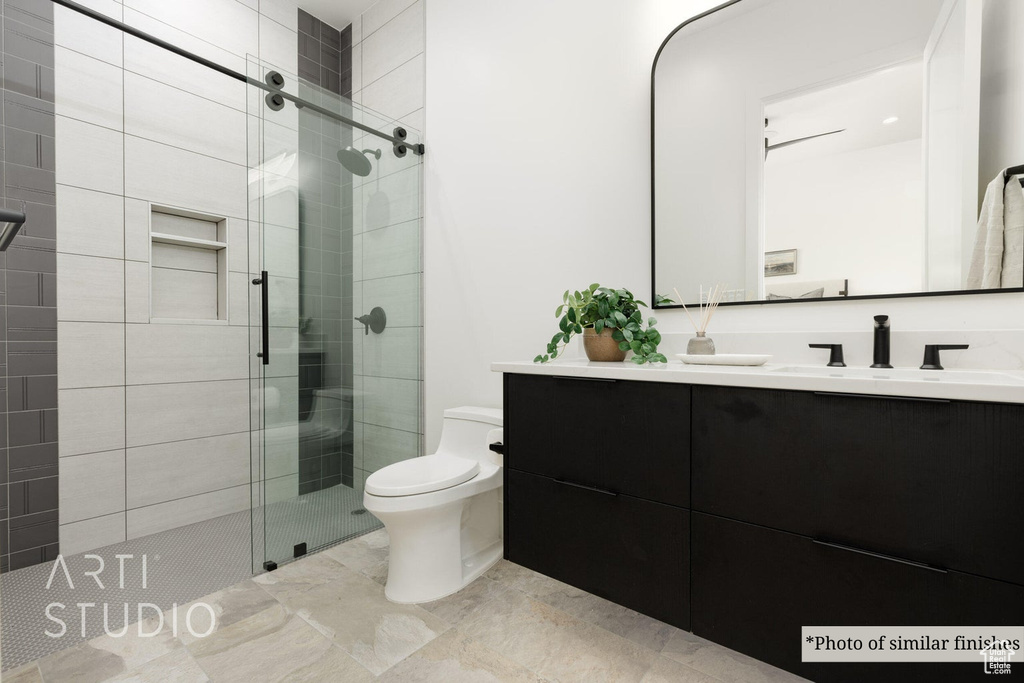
(745, 503)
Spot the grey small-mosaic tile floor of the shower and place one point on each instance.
(179, 570)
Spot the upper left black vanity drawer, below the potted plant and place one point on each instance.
(629, 438)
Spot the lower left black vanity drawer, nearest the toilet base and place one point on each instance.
(627, 550)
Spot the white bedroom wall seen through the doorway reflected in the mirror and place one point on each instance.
(820, 207)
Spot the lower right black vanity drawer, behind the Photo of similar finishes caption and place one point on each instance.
(754, 588)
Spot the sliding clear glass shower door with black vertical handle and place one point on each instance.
(336, 208)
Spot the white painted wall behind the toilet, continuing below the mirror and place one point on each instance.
(538, 180)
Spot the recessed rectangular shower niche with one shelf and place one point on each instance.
(188, 267)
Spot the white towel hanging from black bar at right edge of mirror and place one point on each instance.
(998, 261)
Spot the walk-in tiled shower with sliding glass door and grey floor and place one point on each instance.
(238, 275)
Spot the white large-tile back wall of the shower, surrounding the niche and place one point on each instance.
(156, 418)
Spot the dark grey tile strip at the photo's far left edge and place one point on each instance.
(29, 432)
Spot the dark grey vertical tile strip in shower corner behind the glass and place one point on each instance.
(326, 459)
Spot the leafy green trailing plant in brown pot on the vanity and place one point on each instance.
(611, 323)
